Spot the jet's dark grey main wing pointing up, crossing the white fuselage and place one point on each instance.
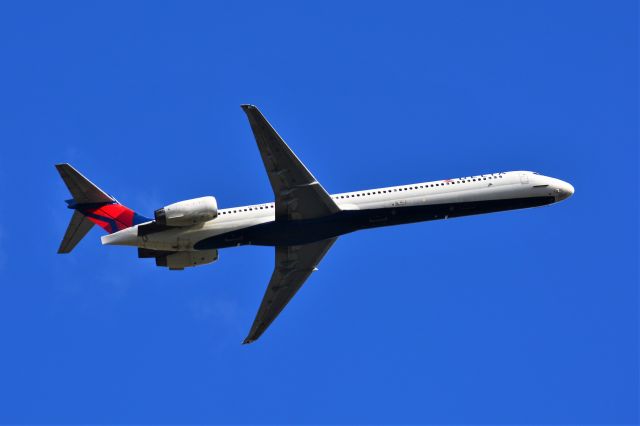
(298, 194)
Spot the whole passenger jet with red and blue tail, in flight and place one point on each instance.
(302, 223)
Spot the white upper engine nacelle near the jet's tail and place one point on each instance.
(188, 212)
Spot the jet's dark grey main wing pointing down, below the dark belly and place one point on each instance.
(293, 266)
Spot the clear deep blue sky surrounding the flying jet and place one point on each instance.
(520, 317)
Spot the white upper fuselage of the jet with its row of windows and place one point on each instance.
(519, 185)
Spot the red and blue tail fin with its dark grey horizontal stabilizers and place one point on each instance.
(92, 206)
